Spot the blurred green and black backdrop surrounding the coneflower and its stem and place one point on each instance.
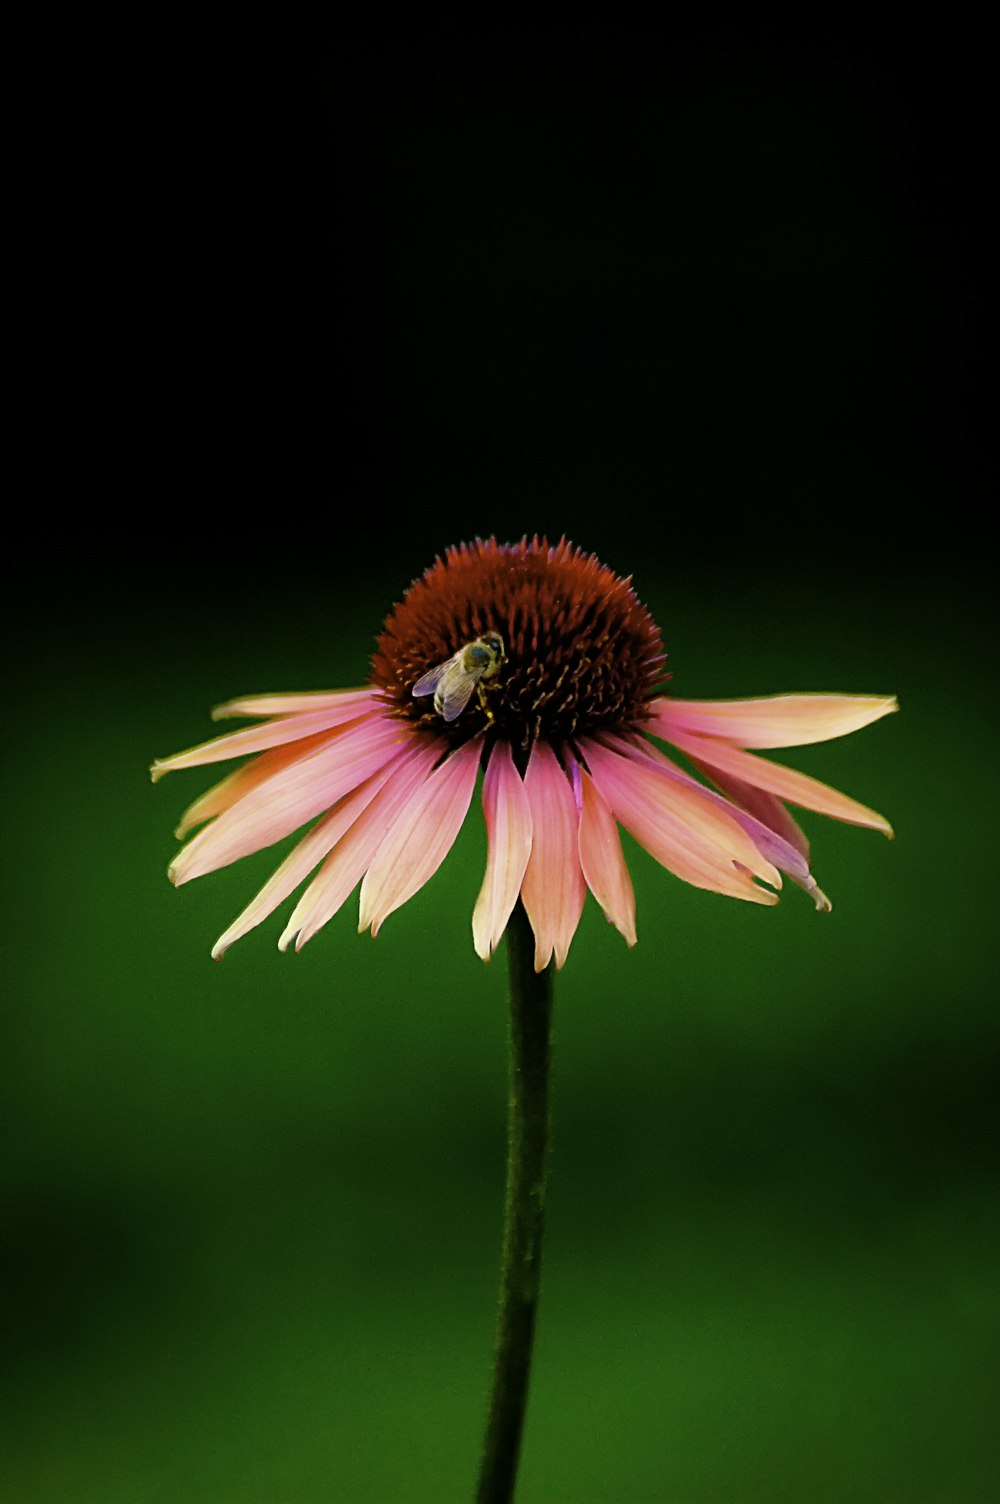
(706, 306)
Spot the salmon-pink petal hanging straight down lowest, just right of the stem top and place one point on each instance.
(553, 890)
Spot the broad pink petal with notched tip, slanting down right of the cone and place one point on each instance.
(682, 826)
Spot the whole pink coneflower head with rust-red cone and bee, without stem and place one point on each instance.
(562, 700)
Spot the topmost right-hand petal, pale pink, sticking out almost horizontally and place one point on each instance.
(777, 721)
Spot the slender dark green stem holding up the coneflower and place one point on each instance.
(524, 1214)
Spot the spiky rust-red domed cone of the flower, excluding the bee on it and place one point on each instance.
(583, 653)
